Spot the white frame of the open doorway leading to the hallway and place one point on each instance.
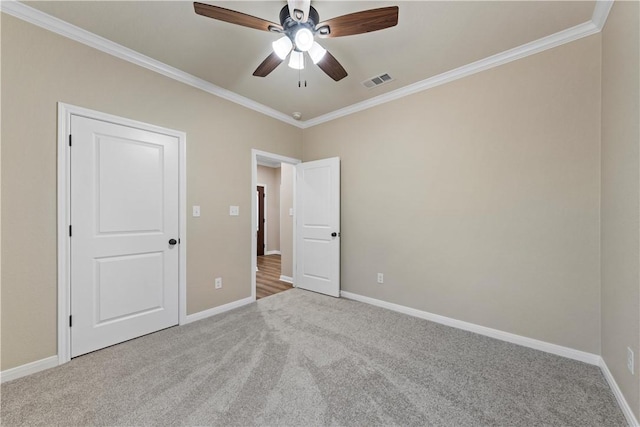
(269, 157)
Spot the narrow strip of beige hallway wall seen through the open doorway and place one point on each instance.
(286, 220)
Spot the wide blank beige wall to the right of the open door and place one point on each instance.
(479, 199)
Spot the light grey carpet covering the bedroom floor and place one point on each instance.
(299, 358)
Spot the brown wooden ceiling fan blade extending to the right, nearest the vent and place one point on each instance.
(359, 22)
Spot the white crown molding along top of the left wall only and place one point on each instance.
(65, 29)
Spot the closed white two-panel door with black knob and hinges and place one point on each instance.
(124, 210)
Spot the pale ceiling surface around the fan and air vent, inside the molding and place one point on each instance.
(431, 38)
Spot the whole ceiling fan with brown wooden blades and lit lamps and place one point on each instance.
(299, 25)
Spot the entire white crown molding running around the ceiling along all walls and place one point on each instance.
(58, 26)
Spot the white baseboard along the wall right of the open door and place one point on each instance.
(582, 356)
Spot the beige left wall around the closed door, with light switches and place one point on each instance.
(38, 70)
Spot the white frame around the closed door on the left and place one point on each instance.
(65, 111)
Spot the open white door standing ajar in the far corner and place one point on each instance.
(318, 226)
